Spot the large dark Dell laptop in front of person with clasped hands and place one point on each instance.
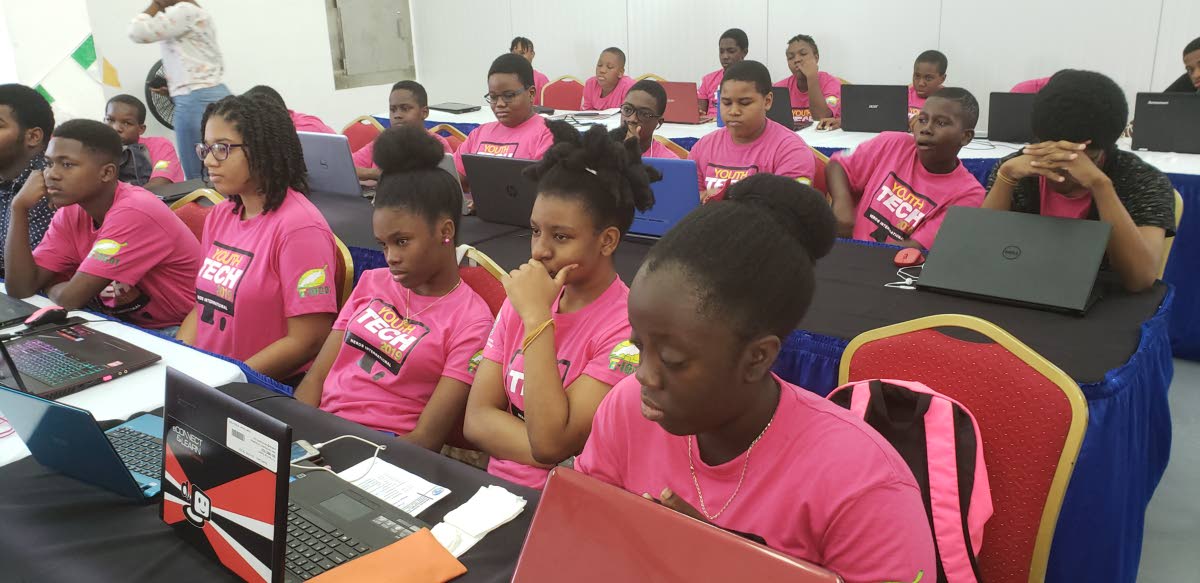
(1045, 263)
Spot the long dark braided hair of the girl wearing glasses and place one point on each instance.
(272, 146)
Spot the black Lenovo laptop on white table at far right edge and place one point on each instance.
(1167, 123)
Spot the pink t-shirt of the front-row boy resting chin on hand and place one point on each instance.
(140, 244)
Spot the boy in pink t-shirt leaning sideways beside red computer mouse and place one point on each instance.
(897, 187)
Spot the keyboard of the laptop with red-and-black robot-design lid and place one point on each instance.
(316, 546)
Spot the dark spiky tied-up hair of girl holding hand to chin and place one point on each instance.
(609, 178)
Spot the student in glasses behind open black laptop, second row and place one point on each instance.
(518, 133)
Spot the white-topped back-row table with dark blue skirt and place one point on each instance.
(980, 158)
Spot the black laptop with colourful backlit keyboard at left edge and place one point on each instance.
(69, 358)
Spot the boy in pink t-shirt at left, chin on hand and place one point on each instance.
(121, 250)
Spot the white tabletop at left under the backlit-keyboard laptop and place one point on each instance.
(139, 392)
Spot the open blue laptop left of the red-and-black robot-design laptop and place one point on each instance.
(127, 460)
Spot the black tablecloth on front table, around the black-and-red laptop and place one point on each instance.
(57, 530)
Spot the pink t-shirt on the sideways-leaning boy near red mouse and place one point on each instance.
(902, 200)
